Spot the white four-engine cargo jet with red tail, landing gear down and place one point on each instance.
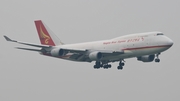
(145, 46)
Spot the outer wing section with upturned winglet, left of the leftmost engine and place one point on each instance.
(25, 43)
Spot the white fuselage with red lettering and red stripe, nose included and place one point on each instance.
(133, 45)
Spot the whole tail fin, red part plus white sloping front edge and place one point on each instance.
(45, 35)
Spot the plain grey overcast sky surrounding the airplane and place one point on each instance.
(28, 76)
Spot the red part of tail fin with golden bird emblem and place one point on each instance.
(43, 33)
